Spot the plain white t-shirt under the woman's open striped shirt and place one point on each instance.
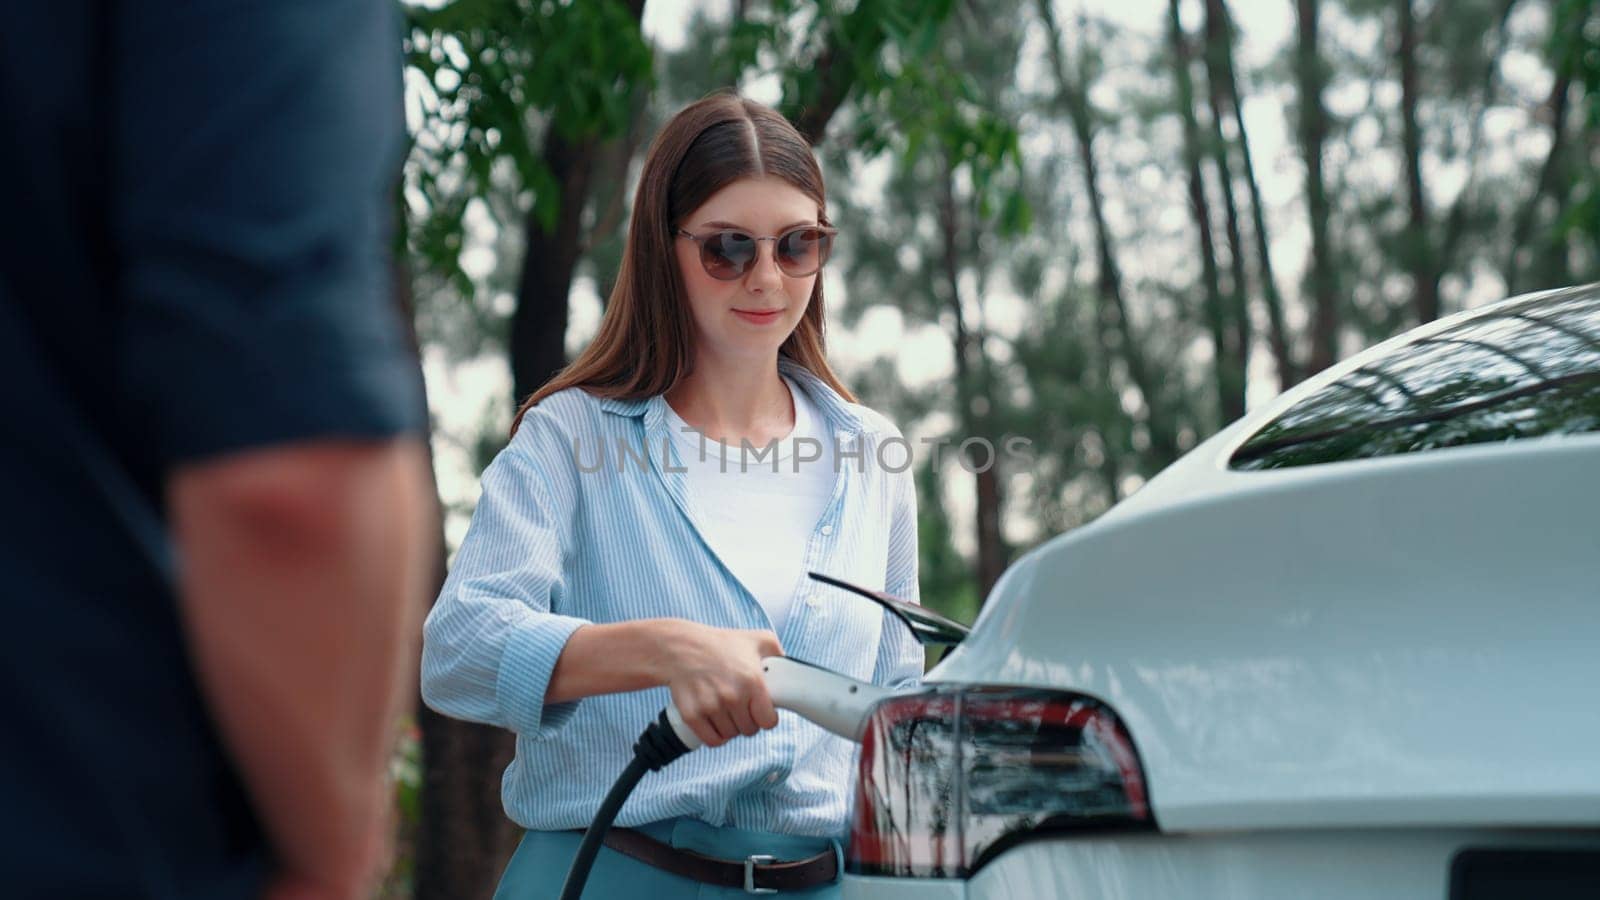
(758, 520)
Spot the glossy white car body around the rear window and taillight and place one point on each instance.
(1380, 661)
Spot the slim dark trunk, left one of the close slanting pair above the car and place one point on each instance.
(1228, 376)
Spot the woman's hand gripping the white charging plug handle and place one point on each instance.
(718, 683)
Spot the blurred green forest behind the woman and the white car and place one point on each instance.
(1106, 227)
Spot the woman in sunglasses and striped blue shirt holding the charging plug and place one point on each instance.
(649, 528)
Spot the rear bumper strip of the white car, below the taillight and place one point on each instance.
(1311, 866)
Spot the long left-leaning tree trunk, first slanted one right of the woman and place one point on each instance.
(1113, 308)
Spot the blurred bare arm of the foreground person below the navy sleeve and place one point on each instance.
(305, 573)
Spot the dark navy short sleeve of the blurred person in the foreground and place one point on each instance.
(255, 153)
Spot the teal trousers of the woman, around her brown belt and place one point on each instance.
(538, 869)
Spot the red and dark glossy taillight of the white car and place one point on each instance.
(954, 776)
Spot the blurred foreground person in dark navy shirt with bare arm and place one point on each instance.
(217, 536)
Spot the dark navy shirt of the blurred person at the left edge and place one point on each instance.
(194, 262)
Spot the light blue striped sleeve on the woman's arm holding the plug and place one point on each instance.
(497, 630)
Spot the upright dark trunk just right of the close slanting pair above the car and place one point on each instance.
(1313, 135)
